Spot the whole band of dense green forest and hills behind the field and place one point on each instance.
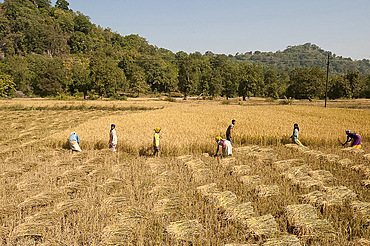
(53, 51)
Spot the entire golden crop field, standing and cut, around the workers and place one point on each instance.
(270, 192)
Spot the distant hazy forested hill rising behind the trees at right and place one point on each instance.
(307, 55)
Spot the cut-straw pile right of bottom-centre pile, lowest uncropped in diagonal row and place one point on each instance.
(263, 226)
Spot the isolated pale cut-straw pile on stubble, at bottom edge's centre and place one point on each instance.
(186, 230)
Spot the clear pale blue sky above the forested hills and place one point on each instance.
(231, 26)
